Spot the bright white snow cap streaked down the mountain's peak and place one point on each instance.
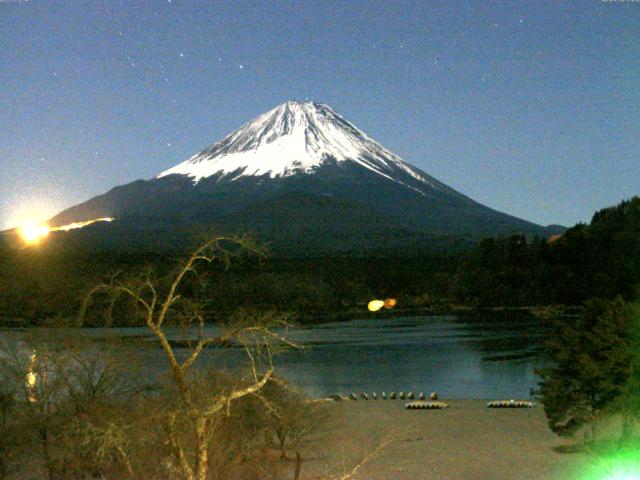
(297, 137)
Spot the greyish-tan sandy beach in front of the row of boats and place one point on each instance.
(466, 441)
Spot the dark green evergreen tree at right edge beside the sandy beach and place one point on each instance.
(593, 358)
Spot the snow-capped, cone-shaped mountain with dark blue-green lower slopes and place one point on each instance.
(303, 178)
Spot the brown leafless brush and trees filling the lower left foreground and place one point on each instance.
(91, 413)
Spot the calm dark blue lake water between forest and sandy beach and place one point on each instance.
(471, 356)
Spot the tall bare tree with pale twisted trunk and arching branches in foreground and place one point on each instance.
(160, 304)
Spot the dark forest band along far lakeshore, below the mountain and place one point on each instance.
(598, 260)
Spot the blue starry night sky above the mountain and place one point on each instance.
(531, 108)
